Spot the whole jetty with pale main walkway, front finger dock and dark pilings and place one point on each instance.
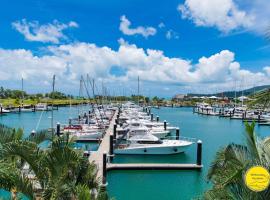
(104, 155)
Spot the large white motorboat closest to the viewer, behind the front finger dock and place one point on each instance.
(149, 144)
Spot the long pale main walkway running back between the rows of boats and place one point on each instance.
(97, 156)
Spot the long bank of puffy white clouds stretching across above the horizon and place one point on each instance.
(70, 61)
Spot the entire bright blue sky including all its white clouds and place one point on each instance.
(174, 46)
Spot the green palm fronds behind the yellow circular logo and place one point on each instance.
(231, 163)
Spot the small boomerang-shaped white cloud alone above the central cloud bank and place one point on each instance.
(140, 30)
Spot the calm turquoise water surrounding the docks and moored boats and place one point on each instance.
(159, 185)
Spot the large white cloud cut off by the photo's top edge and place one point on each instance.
(222, 14)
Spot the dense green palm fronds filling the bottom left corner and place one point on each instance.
(57, 172)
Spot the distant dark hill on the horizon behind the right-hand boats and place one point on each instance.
(231, 94)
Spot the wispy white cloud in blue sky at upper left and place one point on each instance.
(51, 32)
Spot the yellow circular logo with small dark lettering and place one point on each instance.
(257, 178)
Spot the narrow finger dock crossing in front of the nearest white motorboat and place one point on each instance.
(153, 166)
